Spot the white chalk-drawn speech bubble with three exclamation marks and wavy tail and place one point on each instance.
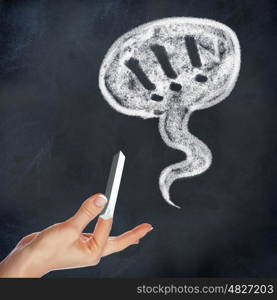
(167, 69)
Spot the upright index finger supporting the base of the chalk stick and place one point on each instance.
(101, 232)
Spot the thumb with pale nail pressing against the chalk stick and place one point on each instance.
(88, 211)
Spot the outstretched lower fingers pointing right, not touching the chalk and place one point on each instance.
(126, 239)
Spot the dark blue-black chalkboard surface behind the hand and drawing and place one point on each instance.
(58, 136)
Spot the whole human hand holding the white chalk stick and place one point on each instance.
(64, 245)
